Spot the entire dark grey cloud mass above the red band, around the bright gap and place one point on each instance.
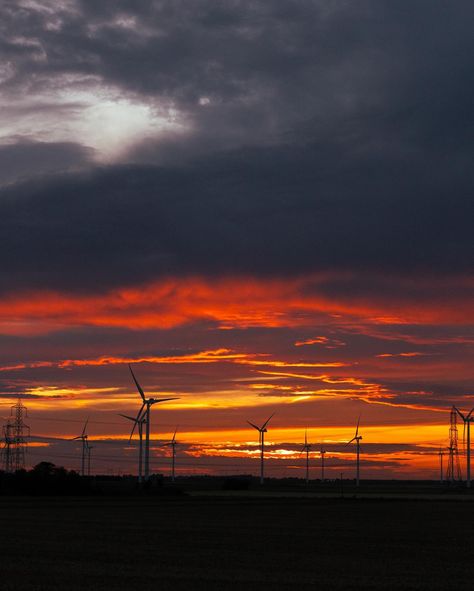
(323, 135)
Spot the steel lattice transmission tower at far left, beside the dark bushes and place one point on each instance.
(15, 433)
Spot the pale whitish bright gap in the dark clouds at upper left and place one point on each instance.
(84, 112)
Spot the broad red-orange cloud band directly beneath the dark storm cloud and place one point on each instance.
(231, 302)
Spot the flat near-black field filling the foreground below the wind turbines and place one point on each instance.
(210, 543)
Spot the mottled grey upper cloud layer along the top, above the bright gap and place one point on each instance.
(266, 67)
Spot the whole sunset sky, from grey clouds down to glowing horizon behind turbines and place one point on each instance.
(262, 206)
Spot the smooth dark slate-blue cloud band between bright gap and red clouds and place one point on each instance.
(122, 225)
